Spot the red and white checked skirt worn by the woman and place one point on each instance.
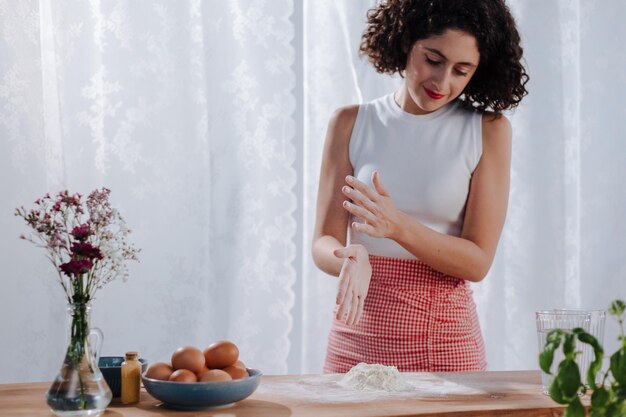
(414, 318)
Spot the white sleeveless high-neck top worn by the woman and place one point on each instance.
(425, 161)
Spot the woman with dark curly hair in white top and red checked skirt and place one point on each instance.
(414, 185)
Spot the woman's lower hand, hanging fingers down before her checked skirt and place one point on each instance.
(354, 282)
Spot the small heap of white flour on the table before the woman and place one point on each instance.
(374, 377)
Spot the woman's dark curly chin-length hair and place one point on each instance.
(500, 79)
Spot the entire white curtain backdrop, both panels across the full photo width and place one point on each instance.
(207, 119)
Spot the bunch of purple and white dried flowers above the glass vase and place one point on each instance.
(86, 240)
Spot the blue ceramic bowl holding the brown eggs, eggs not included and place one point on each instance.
(202, 395)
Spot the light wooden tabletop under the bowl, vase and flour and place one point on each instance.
(511, 393)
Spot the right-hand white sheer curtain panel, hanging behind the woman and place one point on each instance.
(564, 241)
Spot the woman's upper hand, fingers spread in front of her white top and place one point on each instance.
(373, 206)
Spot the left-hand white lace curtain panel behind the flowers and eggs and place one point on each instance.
(185, 111)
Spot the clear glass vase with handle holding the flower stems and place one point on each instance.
(79, 389)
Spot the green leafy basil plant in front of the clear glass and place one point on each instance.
(608, 398)
